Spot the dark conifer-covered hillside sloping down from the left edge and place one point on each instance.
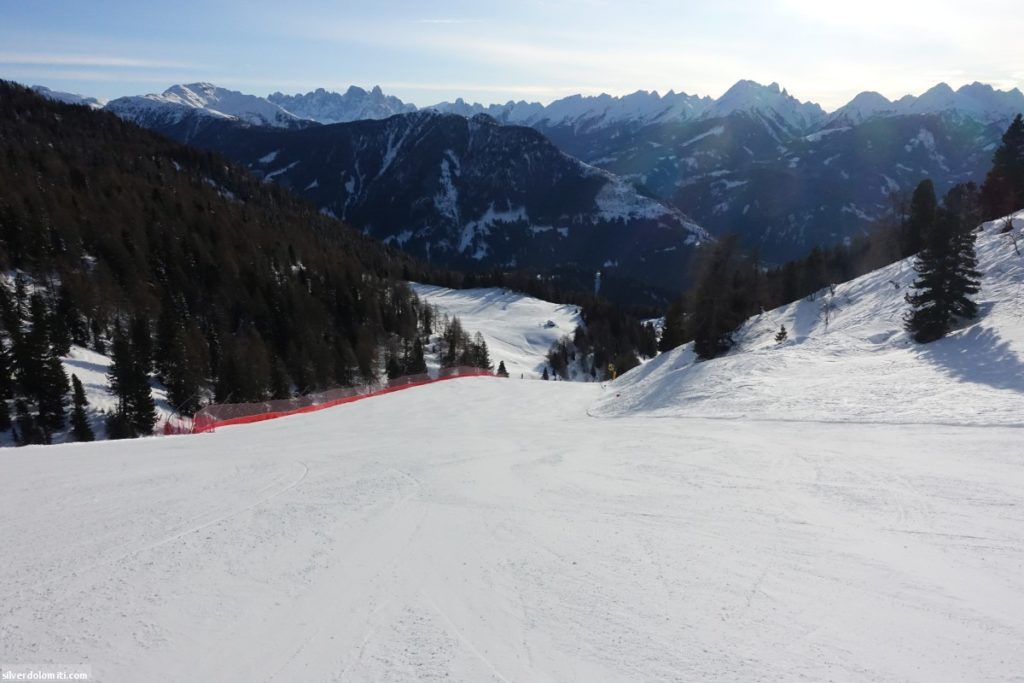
(246, 291)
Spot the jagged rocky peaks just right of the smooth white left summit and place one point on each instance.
(356, 105)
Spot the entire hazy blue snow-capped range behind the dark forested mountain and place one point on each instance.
(784, 175)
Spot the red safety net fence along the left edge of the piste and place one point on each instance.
(223, 415)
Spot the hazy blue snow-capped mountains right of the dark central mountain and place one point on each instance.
(788, 178)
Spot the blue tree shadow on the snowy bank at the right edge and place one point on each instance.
(979, 356)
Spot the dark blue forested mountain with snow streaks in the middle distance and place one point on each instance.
(470, 193)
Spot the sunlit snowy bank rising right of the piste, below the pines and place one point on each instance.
(848, 360)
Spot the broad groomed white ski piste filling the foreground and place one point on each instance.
(488, 530)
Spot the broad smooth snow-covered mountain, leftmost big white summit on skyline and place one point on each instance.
(202, 100)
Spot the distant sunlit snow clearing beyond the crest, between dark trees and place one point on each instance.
(519, 329)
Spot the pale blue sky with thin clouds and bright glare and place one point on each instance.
(426, 53)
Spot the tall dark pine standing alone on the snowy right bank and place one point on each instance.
(947, 269)
